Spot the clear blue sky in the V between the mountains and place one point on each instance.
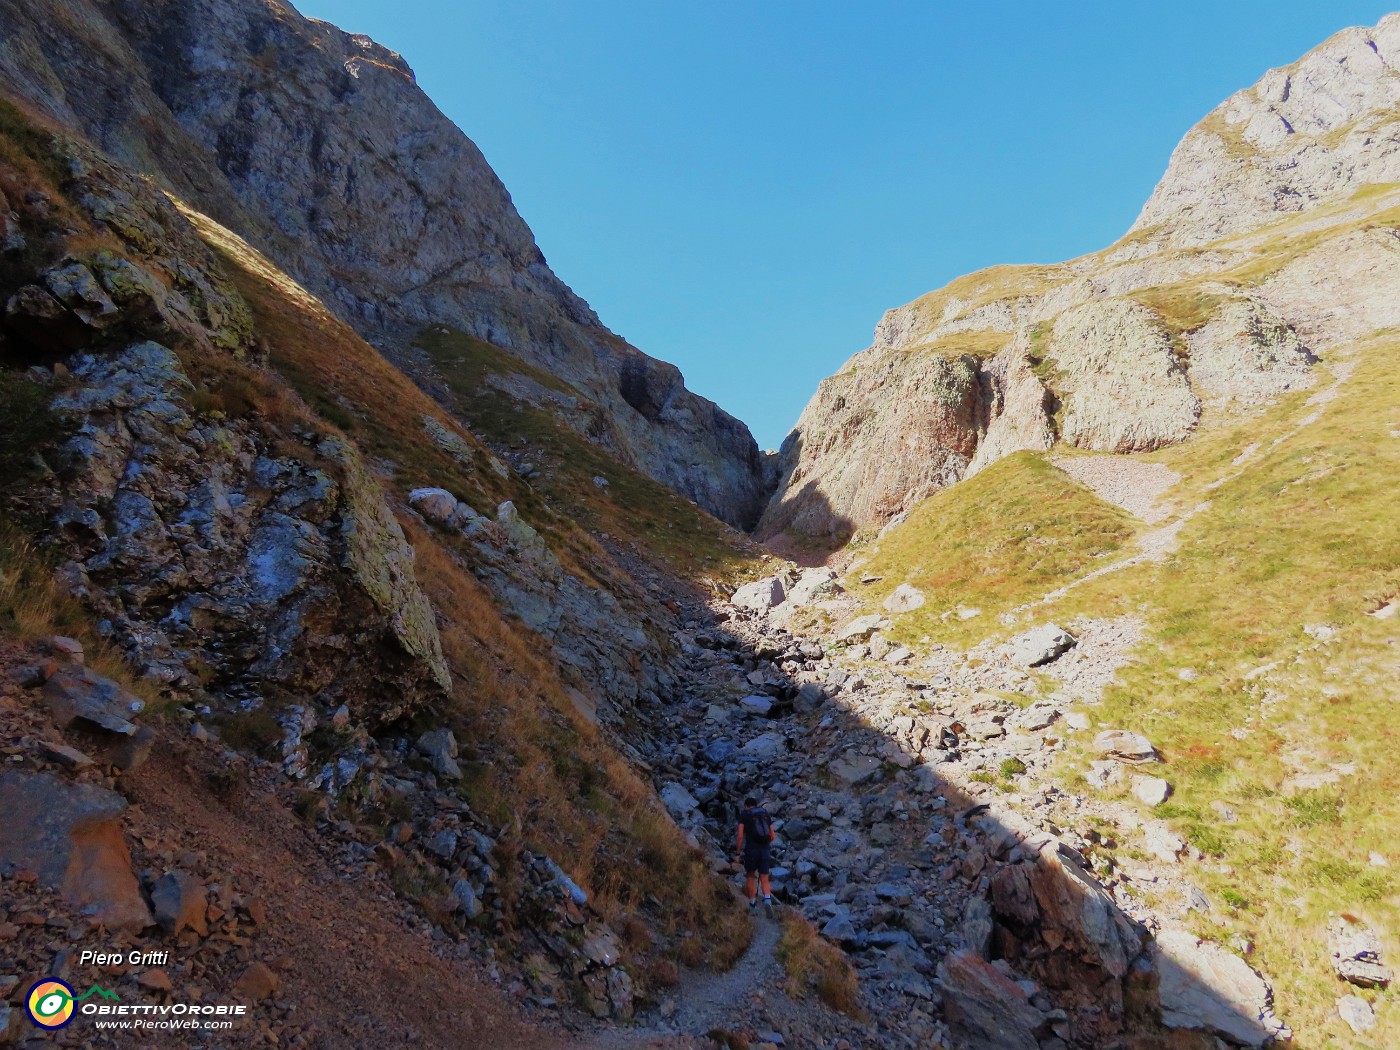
(744, 187)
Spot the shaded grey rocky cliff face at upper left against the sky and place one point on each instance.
(320, 148)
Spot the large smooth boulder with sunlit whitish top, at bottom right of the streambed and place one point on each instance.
(1202, 986)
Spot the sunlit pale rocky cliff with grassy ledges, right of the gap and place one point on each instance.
(1202, 309)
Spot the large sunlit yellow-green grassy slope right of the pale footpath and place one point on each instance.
(1307, 535)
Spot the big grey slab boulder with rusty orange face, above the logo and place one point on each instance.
(72, 836)
